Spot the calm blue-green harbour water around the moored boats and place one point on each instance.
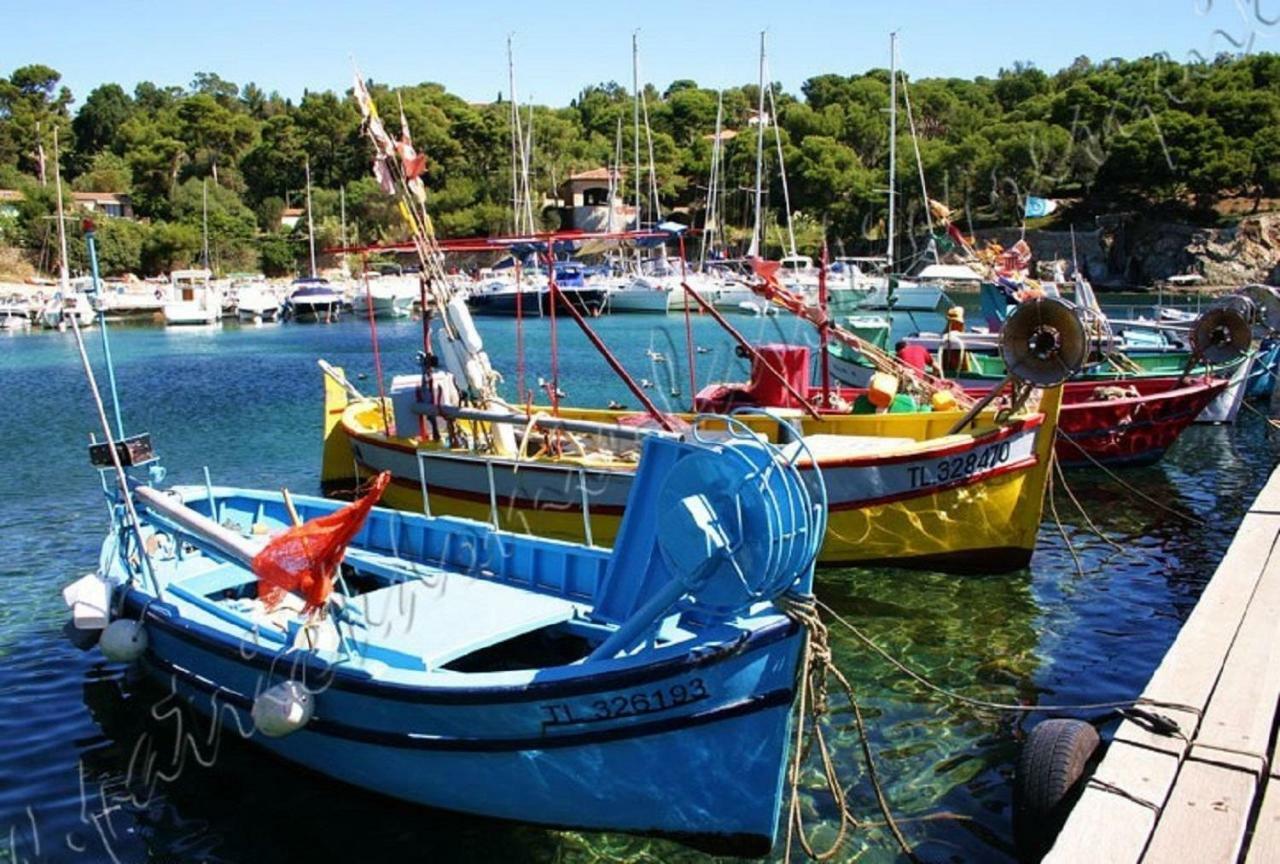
(80, 739)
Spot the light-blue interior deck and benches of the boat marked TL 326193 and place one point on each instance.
(422, 595)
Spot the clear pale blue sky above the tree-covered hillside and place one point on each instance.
(561, 47)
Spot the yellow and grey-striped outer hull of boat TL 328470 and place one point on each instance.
(968, 505)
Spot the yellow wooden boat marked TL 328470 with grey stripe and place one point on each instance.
(903, 490)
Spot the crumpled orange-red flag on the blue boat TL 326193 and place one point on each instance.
(305, 559)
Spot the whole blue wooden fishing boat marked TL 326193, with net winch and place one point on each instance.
(458, 666)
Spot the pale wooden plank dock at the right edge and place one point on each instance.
(1213, 796)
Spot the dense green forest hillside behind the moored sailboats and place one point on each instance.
(1149, 136)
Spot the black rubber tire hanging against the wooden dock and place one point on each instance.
(1050, 776)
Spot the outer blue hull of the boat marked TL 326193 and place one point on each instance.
(546, 753)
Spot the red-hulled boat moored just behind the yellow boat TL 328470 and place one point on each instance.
(1124, 424)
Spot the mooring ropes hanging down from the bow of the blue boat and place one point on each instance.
(815, 689)
